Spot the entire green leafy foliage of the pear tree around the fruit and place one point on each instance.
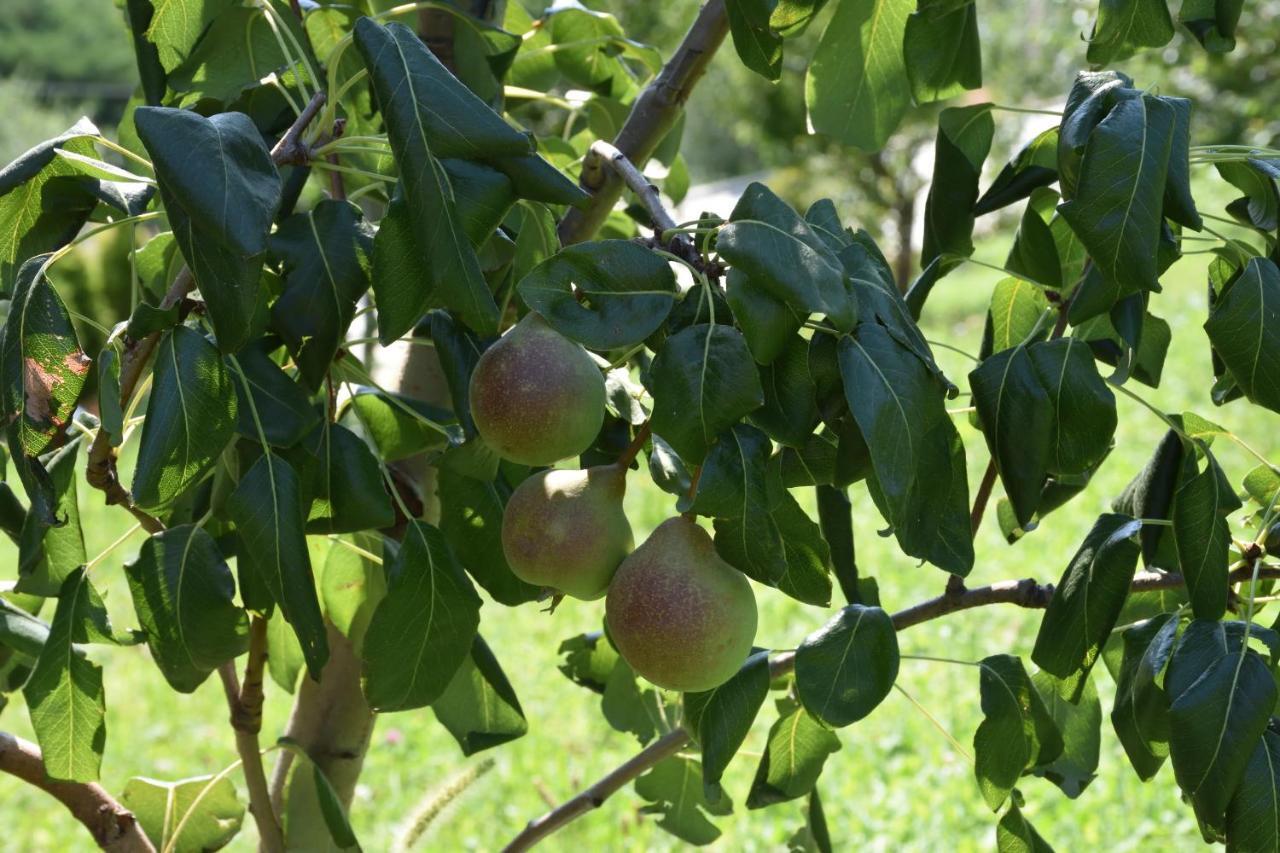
(792, 362)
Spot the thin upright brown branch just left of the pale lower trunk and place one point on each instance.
(246, 718)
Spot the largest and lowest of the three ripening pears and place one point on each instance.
(679, 615)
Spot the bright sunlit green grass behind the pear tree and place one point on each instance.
(897, 784)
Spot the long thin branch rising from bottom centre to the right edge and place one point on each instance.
(1021, 594)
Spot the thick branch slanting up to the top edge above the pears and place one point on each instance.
(652, 116)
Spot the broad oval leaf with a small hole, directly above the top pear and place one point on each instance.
(605, 295)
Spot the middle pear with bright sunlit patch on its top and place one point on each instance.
(565, 530)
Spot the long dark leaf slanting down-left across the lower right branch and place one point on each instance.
(1087, 601)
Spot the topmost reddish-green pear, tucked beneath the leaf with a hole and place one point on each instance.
(537, 398)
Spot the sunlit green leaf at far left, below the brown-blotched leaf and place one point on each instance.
(49, 550)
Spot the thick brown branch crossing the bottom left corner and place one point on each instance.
(112, 825)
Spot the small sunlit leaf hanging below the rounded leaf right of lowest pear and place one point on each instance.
(794, 755)
